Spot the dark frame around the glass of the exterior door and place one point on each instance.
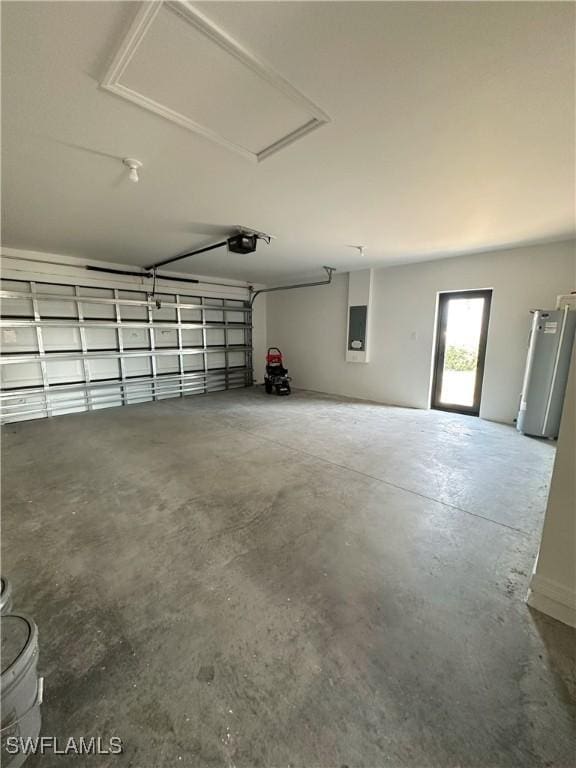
(440, 348)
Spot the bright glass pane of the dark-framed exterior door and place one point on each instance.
(462, 344)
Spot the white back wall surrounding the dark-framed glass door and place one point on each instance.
(309, 325)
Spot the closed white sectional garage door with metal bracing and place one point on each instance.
(69, 348)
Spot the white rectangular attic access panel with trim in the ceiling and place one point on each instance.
(176, 62)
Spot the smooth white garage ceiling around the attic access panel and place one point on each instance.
(452, 131)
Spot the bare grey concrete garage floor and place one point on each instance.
(243, 580)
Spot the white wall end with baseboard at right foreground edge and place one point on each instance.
(553, 587)
